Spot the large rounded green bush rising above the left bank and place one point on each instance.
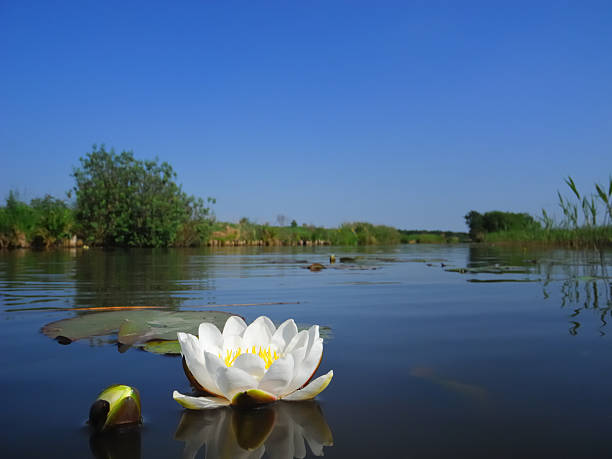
(128, 202)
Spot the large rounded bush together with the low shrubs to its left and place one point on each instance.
(120, 201)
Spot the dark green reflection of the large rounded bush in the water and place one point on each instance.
(151, 277)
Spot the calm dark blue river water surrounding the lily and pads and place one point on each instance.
(427, 363)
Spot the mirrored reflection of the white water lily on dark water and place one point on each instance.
(280, 430)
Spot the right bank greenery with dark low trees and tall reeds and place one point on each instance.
(586, 221)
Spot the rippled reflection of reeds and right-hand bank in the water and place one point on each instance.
(583, 276)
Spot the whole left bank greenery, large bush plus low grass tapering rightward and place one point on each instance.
(120, 201)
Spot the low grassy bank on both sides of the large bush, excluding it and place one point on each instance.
(50, 222)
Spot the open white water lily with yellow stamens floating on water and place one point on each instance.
(251, 365)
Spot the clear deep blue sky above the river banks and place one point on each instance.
(403, 113)
